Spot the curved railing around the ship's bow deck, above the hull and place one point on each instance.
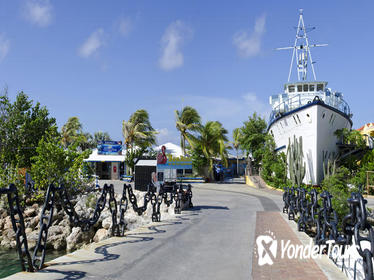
(299, 100)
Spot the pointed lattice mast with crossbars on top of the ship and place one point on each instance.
(302, 52)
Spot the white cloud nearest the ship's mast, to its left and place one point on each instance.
(250, 45)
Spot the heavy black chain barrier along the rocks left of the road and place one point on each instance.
(36, 261)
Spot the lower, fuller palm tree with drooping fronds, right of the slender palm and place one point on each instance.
(212, 140)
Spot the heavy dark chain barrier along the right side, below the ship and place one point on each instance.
(325, 220)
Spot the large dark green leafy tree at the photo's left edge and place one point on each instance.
(22, 125)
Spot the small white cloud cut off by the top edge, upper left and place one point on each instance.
(39, 12)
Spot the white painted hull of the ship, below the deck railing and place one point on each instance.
(316, 124)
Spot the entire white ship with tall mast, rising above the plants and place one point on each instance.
(309, 109)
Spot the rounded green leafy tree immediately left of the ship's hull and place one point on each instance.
(253, 137)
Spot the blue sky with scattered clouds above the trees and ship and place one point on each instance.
(102, 60)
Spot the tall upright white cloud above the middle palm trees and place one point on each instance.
(171, 43)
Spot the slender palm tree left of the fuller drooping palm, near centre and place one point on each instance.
(188, 119)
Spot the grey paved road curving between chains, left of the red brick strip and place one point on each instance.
(212, 241)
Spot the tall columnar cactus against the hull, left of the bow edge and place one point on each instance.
(296, 164)
